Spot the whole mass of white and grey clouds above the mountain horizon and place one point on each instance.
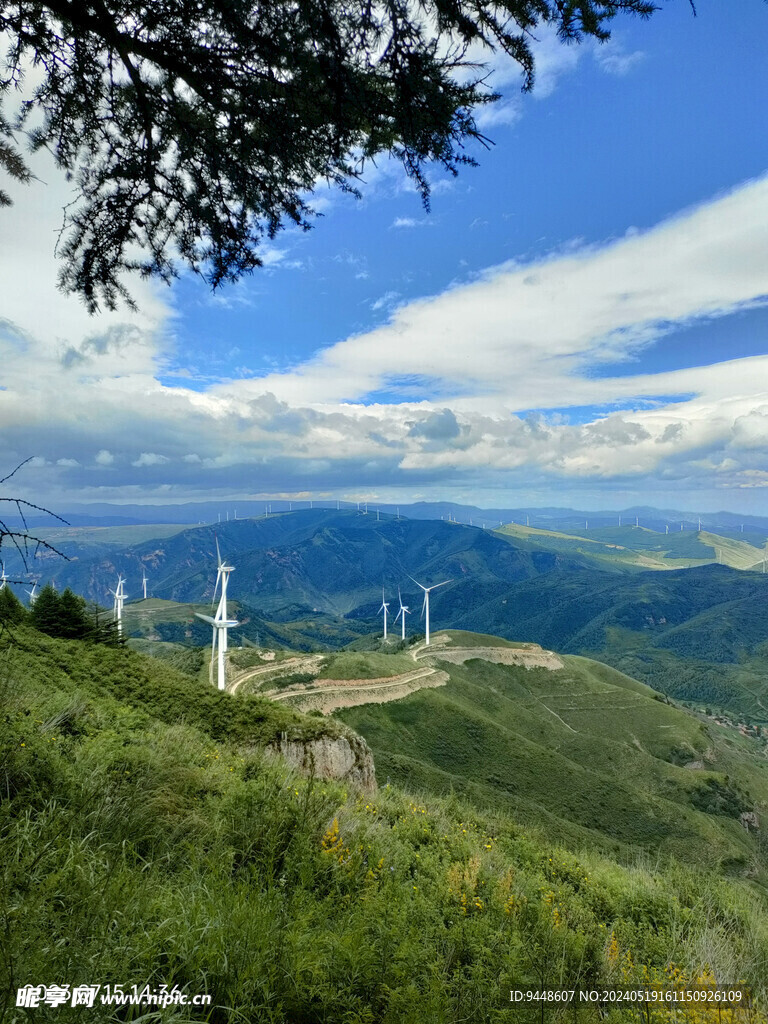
(529, 376)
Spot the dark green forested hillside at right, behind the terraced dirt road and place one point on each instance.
(697, 634)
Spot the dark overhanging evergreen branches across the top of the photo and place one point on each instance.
(199, 130)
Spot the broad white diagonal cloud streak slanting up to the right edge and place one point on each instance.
(531, 335)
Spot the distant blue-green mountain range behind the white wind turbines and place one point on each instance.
(316, 578)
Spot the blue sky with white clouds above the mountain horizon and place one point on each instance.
(581, 321)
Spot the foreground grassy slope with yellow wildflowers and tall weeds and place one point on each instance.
(145, 840)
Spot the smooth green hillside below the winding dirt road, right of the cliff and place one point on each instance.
(593, 753)
